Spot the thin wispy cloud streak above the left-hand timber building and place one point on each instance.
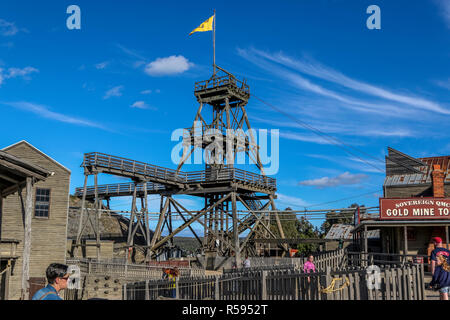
(45, 112)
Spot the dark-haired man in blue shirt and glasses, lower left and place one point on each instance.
(57, 278)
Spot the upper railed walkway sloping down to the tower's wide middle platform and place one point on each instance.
(169, 178)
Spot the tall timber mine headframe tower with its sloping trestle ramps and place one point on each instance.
(222, 186)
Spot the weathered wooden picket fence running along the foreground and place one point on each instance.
(406, 283)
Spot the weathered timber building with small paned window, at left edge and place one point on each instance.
(40, 231)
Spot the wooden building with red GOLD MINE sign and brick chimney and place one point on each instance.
(415, 207)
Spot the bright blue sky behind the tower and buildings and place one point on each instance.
(125, 81)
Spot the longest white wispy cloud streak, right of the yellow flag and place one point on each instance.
(320, 71)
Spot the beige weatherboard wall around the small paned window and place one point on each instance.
(48, 235)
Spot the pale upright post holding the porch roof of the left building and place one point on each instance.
(27, 240)
